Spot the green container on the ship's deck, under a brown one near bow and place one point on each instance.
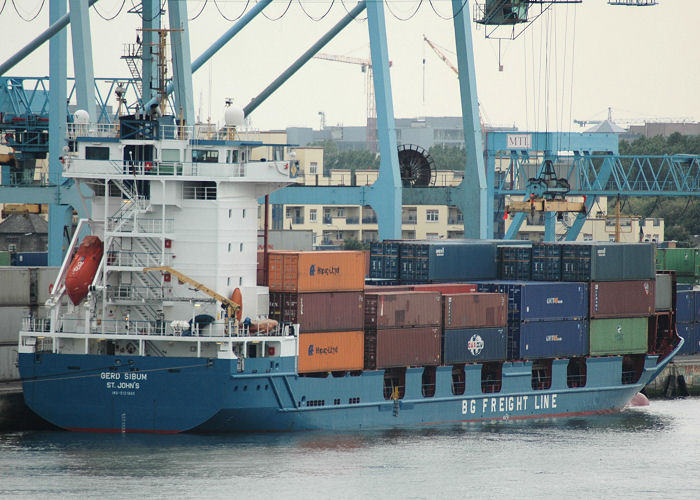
(618, 336)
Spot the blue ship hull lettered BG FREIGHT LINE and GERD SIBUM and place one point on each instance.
(169, 395)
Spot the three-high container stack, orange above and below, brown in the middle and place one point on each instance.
(323, 293)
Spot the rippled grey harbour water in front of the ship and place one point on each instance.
(642, 452)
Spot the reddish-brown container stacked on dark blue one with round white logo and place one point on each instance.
(475, 327)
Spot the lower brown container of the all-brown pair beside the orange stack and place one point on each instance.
(396, 347)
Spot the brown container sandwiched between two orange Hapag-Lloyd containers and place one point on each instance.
(319, 311)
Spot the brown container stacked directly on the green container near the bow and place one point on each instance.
(619, 299)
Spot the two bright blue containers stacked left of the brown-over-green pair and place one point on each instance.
(545, 319)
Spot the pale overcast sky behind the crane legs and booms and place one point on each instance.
(573, 62)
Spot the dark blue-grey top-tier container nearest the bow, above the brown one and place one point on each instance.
(598, 261)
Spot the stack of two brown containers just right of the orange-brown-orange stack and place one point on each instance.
(402, 329)
